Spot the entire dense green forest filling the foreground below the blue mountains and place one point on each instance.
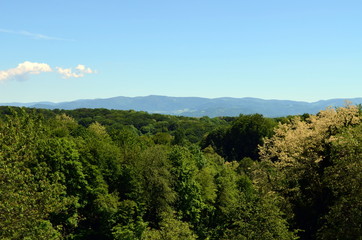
(110, 174)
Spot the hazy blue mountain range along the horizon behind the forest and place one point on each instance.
(198, 107)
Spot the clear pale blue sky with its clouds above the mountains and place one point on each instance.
(272, 49)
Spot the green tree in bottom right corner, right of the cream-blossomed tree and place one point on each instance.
(343, 178)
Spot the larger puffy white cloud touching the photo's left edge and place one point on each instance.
(23, 70)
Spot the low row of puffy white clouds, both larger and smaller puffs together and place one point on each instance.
(25, 69)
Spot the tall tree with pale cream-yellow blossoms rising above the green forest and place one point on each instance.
(298, 157)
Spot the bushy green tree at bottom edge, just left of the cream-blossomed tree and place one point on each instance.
(245, 213)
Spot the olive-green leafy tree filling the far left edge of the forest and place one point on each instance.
(28, 194)
